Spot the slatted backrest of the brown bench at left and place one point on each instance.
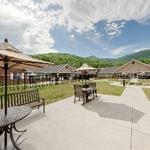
(20, 98)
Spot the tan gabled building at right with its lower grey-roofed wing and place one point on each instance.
(132, 69)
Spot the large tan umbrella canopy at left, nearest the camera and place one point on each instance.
(16, 59)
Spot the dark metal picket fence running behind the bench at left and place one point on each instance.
(29, 81)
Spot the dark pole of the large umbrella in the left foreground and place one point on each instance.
(6, 69)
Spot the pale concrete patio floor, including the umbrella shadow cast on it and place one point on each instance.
(107, 123)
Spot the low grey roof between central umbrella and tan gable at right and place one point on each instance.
(107, 70)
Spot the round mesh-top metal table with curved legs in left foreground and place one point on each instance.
(7, 122)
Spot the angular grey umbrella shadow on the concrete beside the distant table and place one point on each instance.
(114, 110)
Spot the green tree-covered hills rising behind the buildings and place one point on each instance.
(77, 61)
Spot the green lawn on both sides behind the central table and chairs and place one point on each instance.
(57, 92)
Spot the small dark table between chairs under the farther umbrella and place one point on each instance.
(87, 92)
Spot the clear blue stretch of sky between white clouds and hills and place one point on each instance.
(133, 38)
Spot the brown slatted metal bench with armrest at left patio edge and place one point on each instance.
(30, 98)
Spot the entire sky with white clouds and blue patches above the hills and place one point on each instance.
(106, 29)
